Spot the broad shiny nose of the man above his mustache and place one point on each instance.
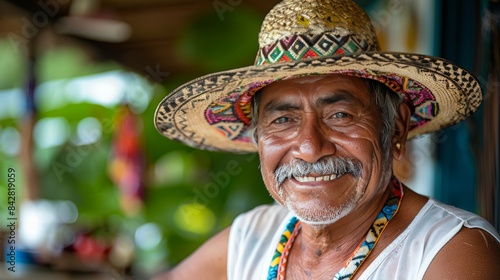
(312, 142)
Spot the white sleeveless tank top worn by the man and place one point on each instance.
(255, 234)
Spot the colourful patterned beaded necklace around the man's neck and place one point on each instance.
(277, 268)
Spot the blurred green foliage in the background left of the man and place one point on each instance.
(190, 194)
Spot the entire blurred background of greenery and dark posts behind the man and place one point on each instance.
(99, 194)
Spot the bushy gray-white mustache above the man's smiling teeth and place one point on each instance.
(324, 166)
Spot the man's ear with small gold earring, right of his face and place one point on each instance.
(400, 135)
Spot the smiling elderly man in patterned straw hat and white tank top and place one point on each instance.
(327, 112)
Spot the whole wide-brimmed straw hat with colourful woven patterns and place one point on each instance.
(314, 37)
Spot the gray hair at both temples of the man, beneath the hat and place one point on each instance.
(387, 101)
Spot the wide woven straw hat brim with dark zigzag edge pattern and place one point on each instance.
(456, 94)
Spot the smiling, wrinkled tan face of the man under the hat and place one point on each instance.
(316, 118)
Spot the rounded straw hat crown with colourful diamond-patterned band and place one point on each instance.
(344, 25)
